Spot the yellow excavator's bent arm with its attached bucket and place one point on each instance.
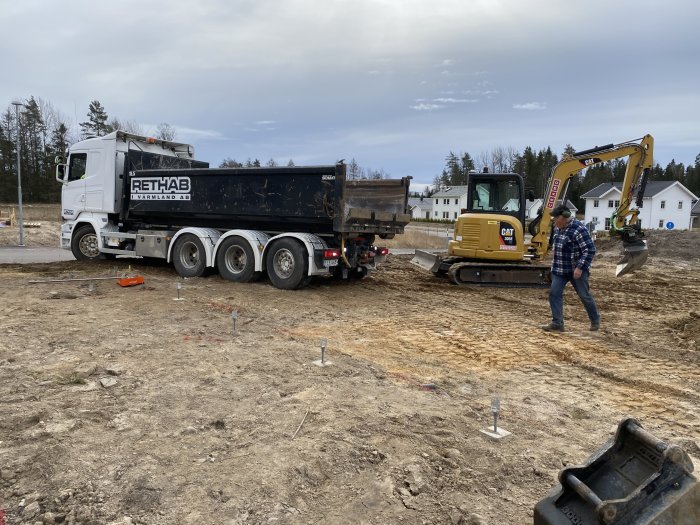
(624, 221)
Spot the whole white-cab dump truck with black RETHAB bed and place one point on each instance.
(129, 195)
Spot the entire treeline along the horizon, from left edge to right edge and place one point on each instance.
(44, 133)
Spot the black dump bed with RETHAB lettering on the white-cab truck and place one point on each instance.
(315, 199)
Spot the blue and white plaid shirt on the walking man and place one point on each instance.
(573, 248)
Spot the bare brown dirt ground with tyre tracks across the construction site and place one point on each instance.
(122, 405)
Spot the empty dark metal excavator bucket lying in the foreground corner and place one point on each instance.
(633, 479)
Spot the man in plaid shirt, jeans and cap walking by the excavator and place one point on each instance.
(573, 255)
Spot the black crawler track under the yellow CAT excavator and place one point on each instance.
(521, 275)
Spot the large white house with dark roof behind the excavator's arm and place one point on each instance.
(666, 205)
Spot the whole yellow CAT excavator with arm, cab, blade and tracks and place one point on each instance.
(489, 245)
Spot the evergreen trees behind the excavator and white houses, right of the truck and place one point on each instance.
(536, 167)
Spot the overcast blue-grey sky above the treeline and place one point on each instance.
(395, 84)
